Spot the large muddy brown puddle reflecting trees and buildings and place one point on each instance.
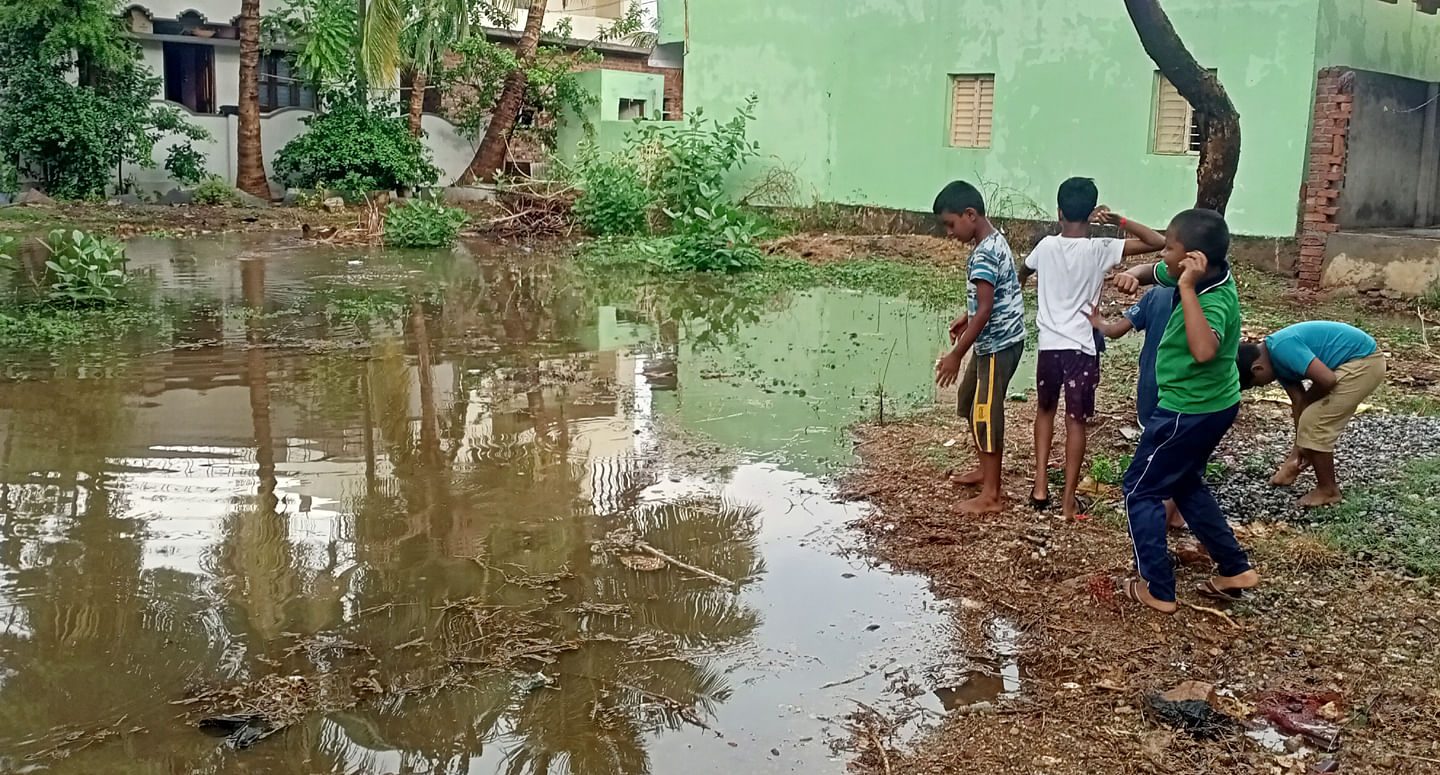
(395, 514)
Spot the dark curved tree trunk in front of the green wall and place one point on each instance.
(1215, 112)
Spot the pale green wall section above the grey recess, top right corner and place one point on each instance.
(1372, 35)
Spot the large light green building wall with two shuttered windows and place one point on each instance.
(855, 97)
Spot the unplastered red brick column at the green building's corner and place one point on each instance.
(1326, 179)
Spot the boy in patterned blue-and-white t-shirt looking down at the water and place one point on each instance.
(994, 325)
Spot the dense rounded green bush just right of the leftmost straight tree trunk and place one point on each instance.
(356, 148)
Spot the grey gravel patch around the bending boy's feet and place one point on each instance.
(1374, 449)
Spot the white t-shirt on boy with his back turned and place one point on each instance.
(1072, 273)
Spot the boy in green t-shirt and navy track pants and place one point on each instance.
(1199, 401)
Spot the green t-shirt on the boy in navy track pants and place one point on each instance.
(1193, 388)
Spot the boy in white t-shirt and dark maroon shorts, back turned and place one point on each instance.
(1072, 270)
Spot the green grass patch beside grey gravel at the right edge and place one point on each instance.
(1398, 522)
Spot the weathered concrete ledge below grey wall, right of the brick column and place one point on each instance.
(1392, 264)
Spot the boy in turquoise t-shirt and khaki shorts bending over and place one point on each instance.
(1344, 367)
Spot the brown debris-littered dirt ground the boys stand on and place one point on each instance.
(1323, 626)
